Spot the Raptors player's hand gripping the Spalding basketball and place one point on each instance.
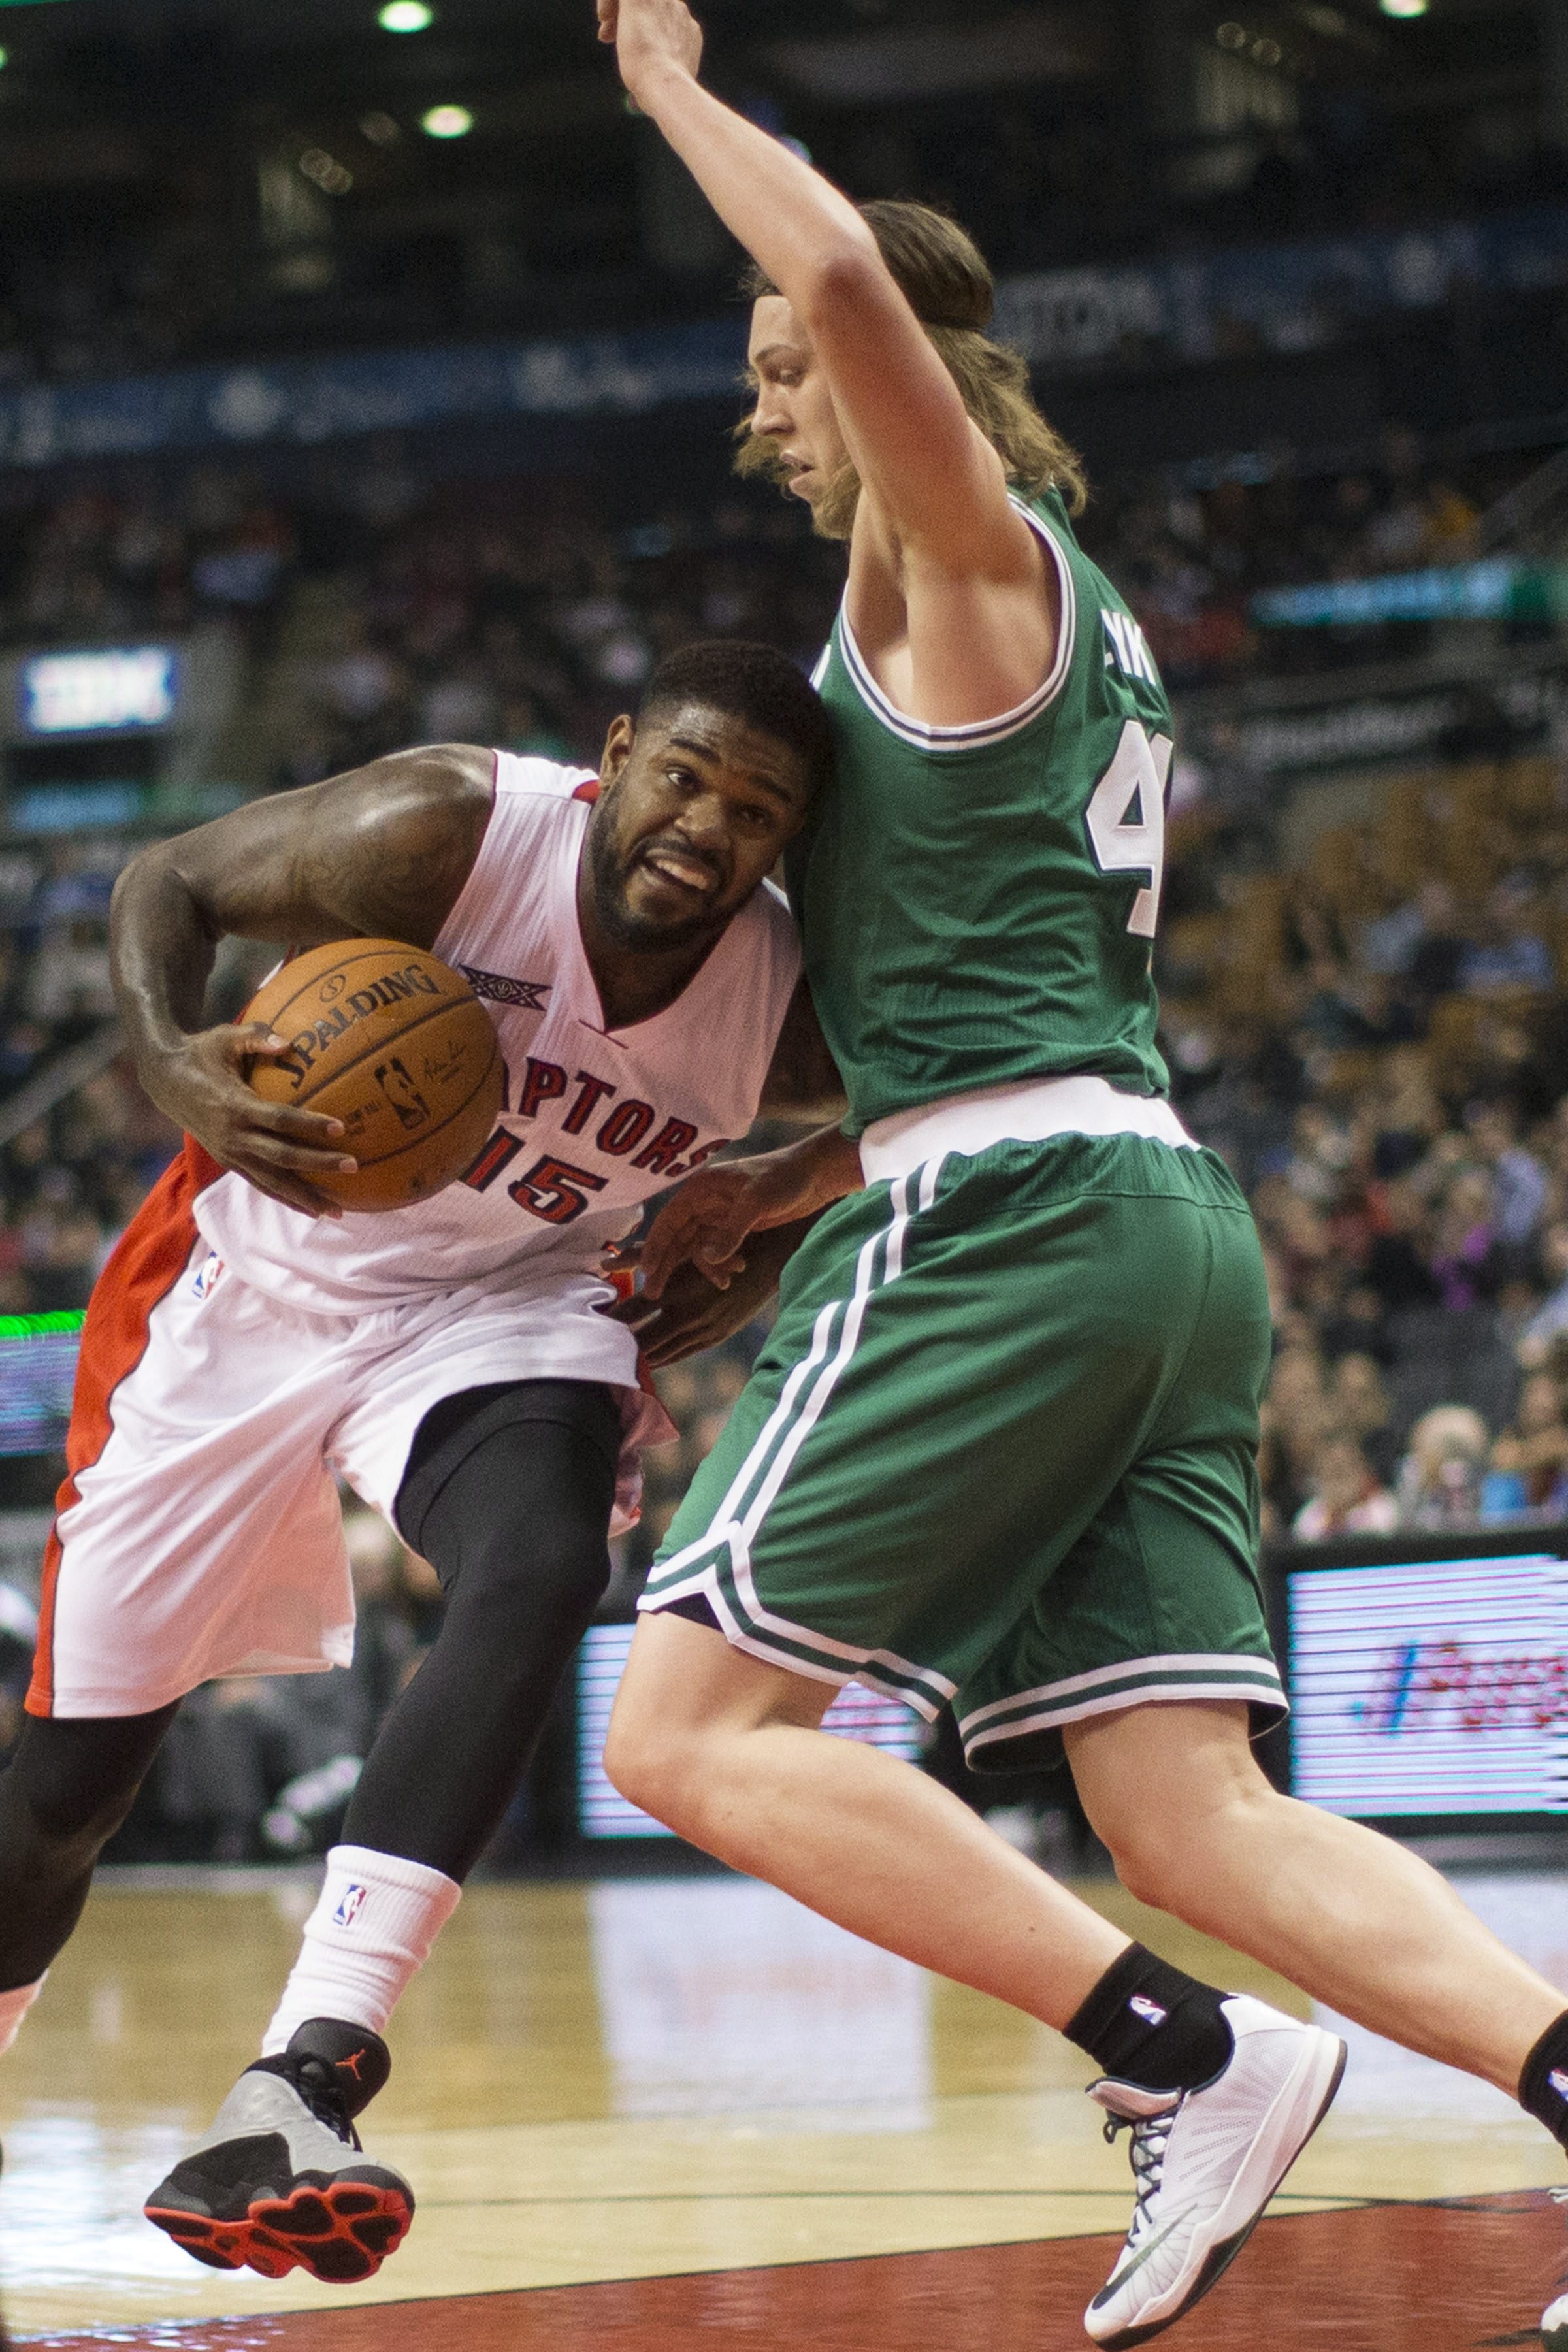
(201, 1085)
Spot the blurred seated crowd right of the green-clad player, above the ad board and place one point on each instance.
(1379, 1048)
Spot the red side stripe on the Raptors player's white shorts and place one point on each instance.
(142, 1269)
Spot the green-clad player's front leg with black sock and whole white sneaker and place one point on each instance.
(1219, 2094)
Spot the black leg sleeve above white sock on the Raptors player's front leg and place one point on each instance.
(509, 1497)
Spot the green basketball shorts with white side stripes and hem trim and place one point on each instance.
(1000, 1450)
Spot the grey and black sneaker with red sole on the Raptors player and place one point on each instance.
(281, 2179)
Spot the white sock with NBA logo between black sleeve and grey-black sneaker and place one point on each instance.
(368, 1937)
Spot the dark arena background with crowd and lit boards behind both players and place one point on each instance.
(368, 377)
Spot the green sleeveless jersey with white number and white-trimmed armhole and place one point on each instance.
(979, 902)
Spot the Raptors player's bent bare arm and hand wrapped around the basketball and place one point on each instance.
(380, 855)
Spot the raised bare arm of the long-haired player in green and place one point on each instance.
(937, 481)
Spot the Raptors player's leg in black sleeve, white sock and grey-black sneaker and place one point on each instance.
(509, 1497)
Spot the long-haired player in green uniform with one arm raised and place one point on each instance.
(1000, 1445)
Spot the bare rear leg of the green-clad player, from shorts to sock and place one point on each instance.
(1348, 1916)
